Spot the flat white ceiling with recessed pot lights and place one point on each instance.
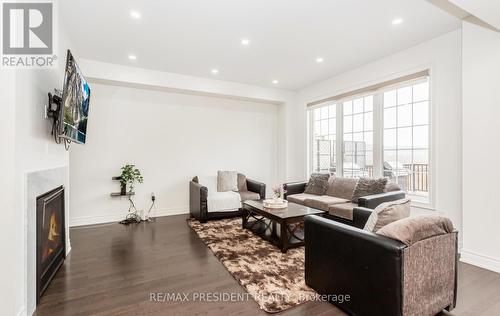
(194, 36)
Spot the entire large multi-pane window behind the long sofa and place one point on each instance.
(382, 131)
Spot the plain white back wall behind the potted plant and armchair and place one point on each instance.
(171, 137)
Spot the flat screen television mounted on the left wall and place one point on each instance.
(75, 104)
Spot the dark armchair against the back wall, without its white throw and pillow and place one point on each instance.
(198, 198)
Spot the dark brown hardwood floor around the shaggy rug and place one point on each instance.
(113, 269)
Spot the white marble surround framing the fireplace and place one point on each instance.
(38, 183)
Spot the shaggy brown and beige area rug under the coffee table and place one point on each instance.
(273, 279)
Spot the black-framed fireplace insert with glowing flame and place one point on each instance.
(50, 237)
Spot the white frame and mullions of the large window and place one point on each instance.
(378, 134)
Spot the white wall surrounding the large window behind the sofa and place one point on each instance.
(443, 56)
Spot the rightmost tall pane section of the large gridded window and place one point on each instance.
(406, 137)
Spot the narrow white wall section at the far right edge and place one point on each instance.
(481, 150)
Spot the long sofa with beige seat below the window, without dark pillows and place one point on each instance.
(337, 201)
